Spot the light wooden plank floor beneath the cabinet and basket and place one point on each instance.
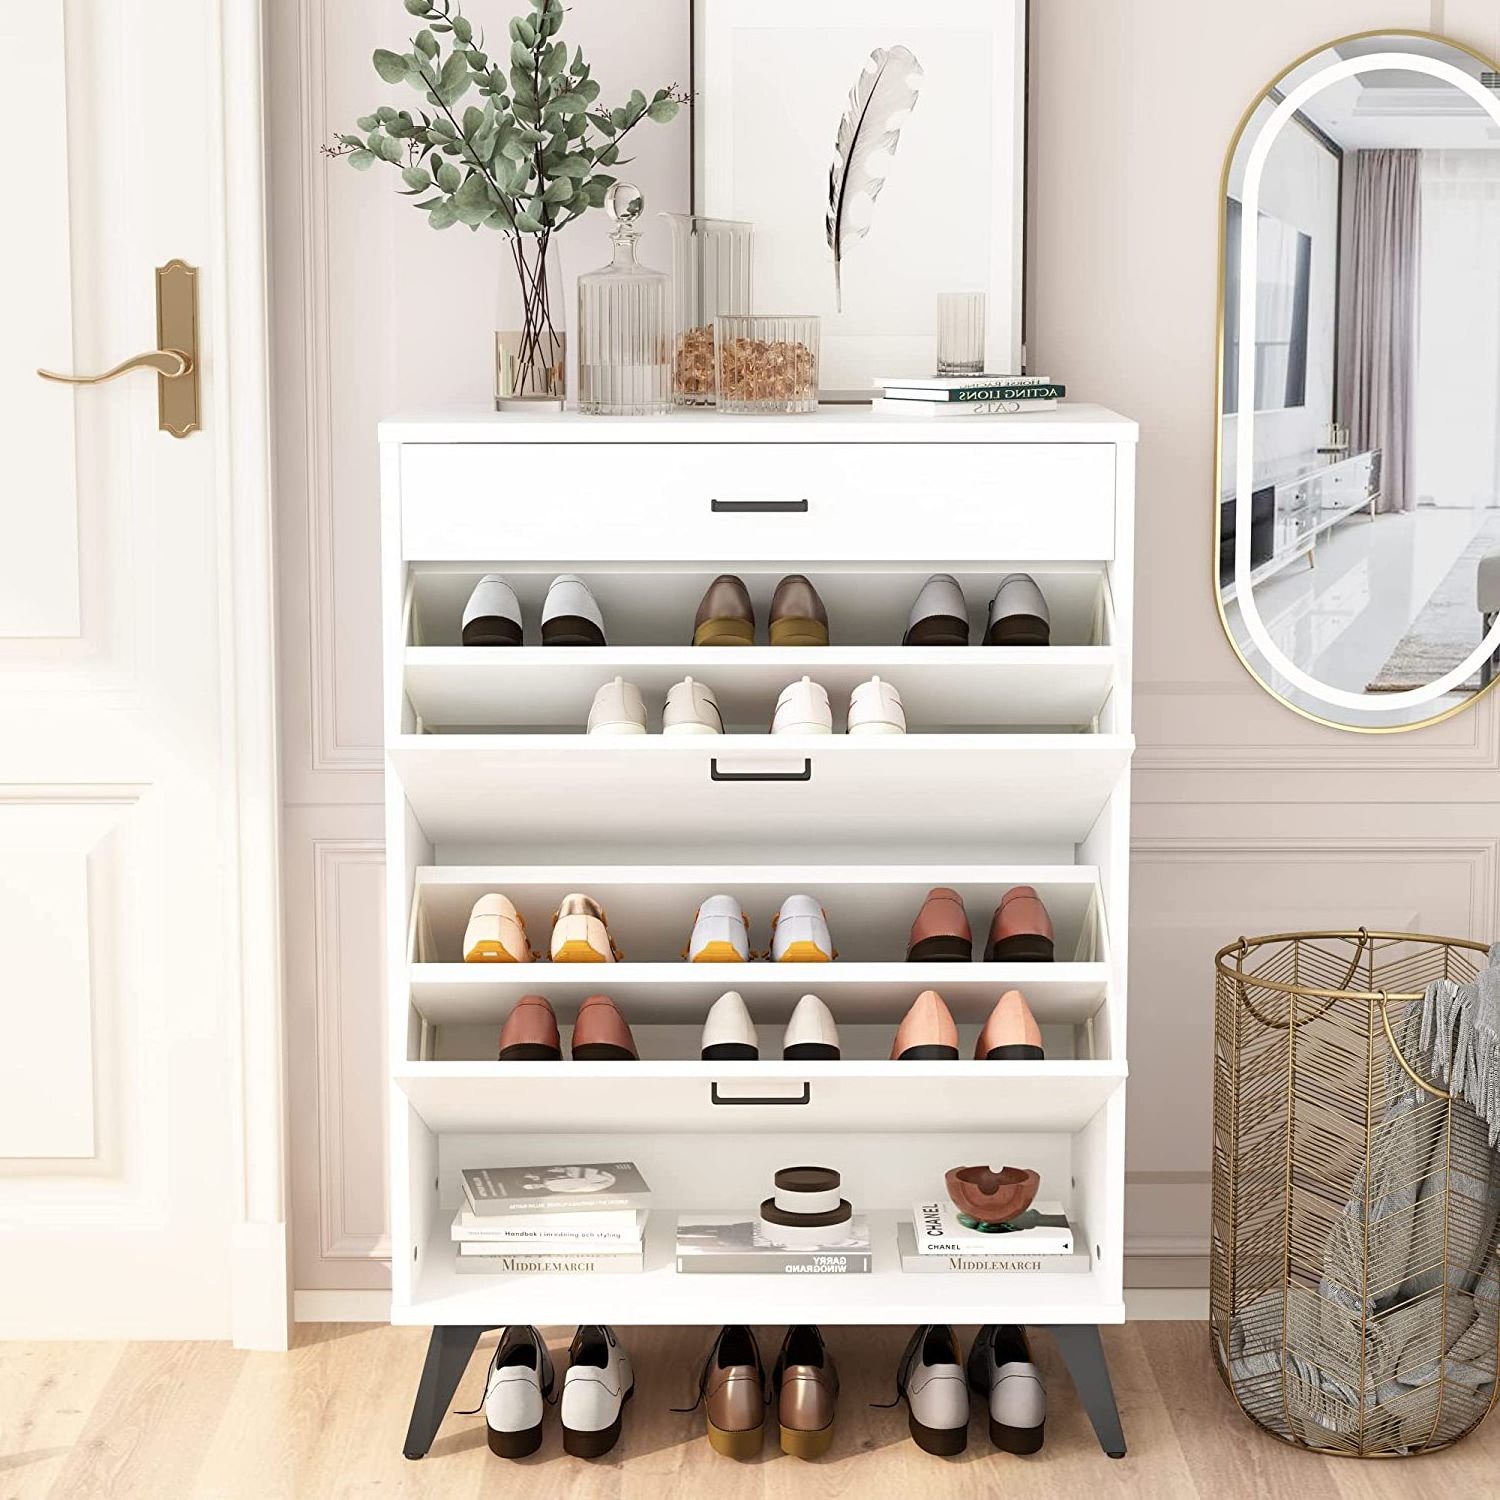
(206, 1423)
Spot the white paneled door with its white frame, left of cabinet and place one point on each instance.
(140, 1064)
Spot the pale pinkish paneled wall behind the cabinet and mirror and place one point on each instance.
(1249, 818)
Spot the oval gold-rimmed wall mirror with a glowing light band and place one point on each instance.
(1358, 499)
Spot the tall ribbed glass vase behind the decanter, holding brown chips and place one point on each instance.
(712, 274)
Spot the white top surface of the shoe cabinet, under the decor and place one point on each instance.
(1073, 422)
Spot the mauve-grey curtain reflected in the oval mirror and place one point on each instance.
(1379, 314)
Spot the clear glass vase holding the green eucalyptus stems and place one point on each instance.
(530, 326)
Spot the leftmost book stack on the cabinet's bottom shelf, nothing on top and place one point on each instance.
(556, 1220)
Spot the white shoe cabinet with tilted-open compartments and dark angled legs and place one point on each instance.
(1016, 770)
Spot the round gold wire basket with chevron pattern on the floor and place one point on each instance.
(1354, 1294)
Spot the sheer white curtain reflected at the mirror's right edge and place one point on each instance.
(1459, 365)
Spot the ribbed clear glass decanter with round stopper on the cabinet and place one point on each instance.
(625, 365)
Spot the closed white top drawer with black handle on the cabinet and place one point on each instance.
(758, 503)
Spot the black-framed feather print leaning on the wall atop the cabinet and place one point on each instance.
(878, 148)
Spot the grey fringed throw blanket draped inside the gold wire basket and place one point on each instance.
(1382, 1355)
